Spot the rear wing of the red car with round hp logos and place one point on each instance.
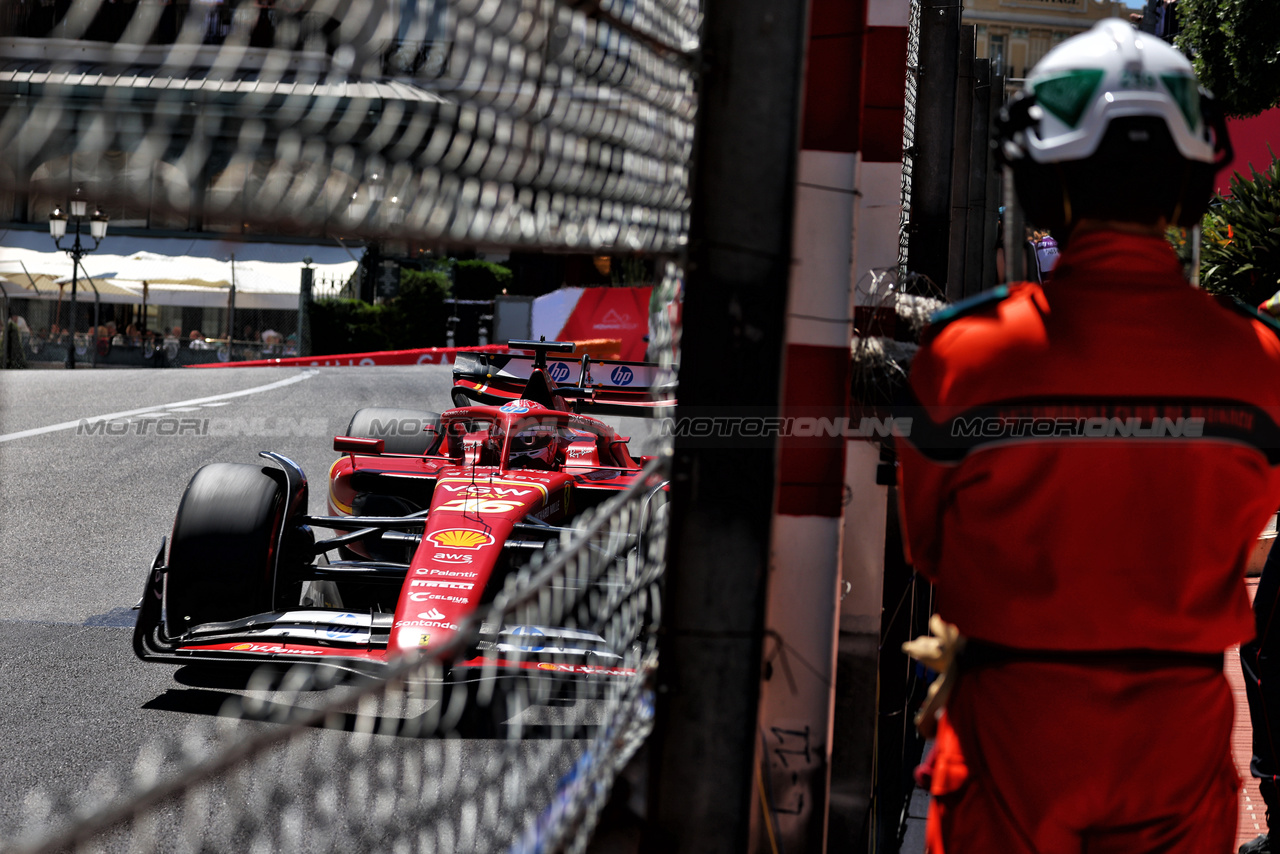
(611, 387)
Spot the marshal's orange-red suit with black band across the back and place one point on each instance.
(1087, 469)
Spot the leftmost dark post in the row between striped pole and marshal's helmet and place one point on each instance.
(935, 115)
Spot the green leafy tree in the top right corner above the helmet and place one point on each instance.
(1236, 48)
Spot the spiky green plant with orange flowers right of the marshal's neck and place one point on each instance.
(1241, 239)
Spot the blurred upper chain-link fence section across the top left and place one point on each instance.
(519, 124)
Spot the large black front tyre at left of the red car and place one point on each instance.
(222, 549)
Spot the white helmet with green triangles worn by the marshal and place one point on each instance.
(1112, 125)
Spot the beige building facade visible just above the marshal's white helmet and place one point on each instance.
(1017, 34)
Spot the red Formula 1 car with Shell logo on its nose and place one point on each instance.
(433, 513)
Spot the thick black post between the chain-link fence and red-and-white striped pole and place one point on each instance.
(702, 798)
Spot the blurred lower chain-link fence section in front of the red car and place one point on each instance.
(394, 765)
